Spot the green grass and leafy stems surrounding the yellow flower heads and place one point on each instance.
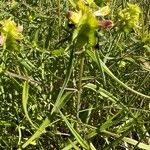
(53, 96)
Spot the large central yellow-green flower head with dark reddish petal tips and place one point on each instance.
(86, 22)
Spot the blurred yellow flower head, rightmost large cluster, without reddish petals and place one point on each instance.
(128, 17)
